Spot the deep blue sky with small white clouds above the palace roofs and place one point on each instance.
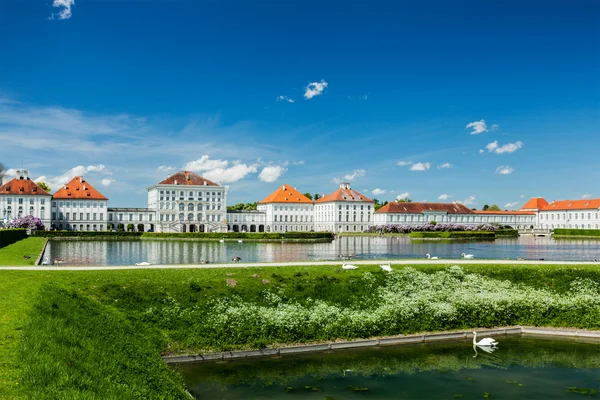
(125, 92)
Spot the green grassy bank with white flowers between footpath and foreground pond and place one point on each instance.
(65, 330)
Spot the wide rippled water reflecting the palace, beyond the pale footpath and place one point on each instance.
(363, 248)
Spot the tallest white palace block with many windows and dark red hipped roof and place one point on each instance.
(182, 205)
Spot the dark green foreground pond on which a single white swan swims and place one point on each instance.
(521, 368)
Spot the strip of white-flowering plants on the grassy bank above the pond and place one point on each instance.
(404, 301)
